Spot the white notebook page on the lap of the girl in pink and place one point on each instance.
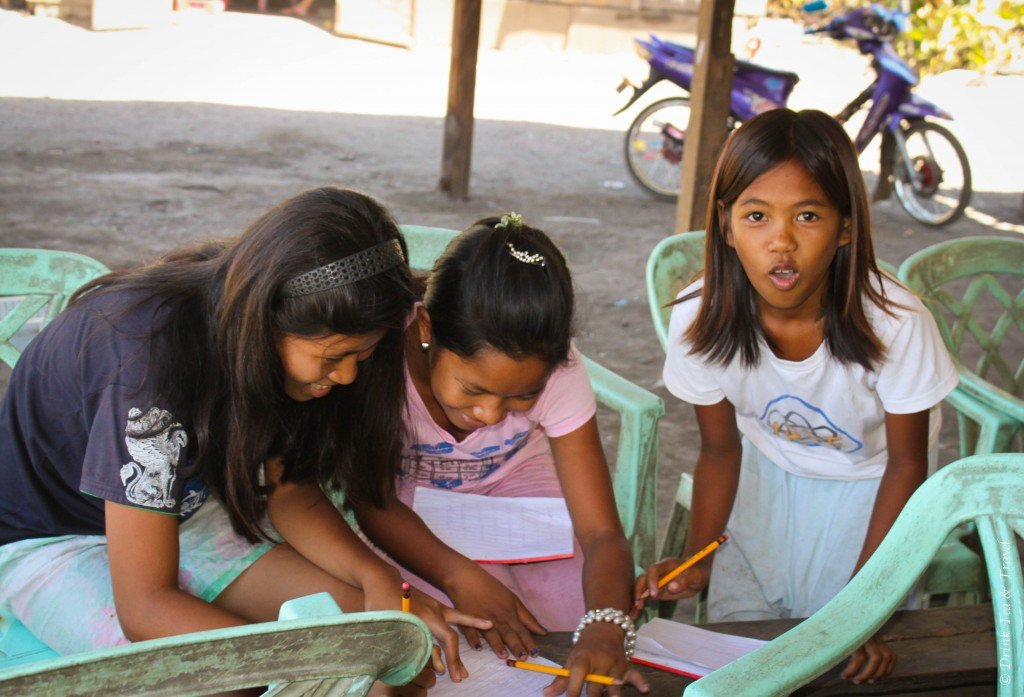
(498, 530)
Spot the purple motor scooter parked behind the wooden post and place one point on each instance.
(922, 161)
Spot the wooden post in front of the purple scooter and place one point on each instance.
(710, 100)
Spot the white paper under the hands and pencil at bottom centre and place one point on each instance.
(490, 676)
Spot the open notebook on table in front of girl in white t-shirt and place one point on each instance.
(689, 650)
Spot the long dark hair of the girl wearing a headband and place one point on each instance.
(217, 364)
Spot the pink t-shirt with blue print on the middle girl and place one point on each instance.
(432, 457)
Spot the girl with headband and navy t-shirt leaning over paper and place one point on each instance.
(165, 442)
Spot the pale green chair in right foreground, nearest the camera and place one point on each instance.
(988, 490)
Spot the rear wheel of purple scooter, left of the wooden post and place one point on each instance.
(655, 147)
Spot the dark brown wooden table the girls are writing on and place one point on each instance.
(942, 651)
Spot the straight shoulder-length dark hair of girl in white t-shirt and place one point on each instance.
(728, 322)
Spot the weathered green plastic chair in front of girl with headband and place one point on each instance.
(314, 650)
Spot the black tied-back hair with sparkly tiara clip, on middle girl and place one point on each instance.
(505, 286)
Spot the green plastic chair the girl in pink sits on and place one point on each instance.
(636, 465)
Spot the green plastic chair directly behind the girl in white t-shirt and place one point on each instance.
(673, 265)
